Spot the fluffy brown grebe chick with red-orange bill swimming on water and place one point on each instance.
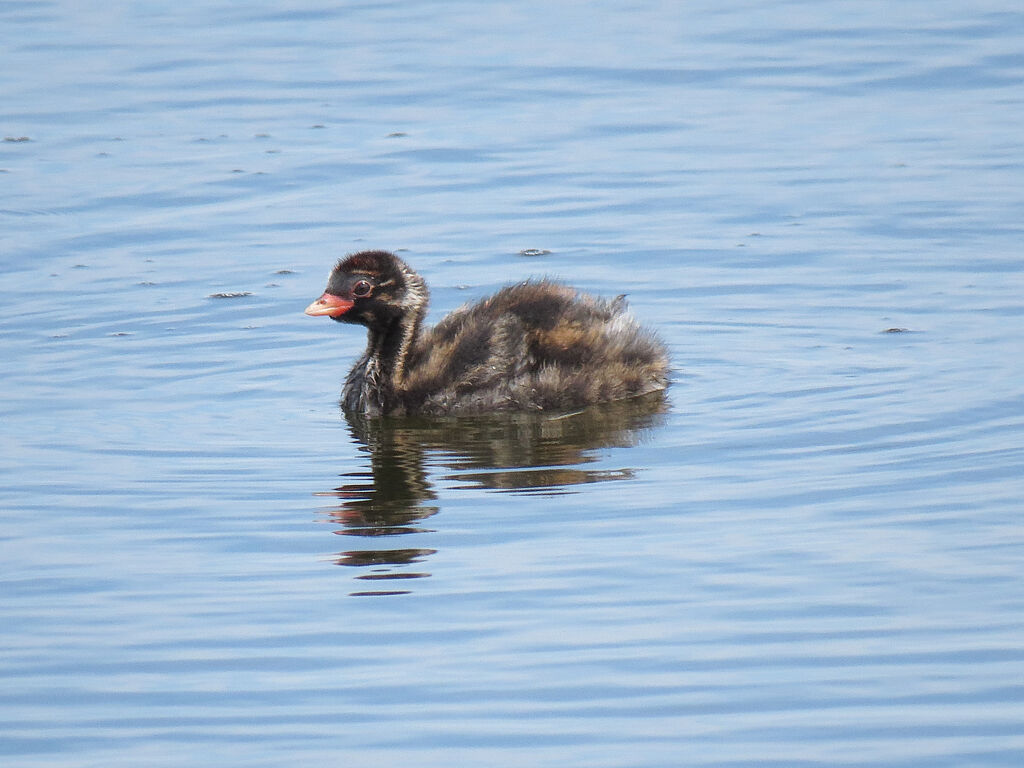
(535, 346)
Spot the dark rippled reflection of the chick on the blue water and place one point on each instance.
(513, 453)
